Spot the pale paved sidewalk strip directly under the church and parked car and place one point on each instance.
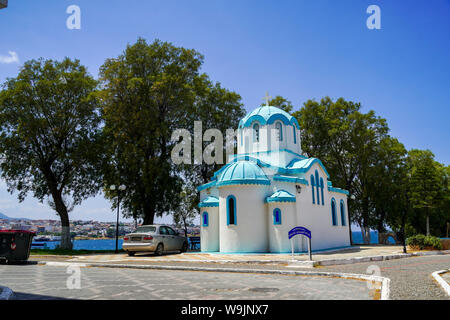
(362, 251)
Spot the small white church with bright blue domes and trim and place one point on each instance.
(267, 189)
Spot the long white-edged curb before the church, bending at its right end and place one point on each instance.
(383, 281)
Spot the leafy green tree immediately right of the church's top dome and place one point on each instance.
(347, 141)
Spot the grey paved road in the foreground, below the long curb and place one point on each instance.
(47, 282)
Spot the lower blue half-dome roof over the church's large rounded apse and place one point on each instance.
(242, 172)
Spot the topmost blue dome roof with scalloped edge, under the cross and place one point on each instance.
(268, 115)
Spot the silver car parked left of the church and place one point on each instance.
(154, 238)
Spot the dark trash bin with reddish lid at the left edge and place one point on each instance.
(15, 245)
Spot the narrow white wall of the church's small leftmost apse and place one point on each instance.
(209, 235)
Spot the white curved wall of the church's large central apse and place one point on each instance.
(250, 232)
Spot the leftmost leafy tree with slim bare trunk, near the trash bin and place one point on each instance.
(50, 140)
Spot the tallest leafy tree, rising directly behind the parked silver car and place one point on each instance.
(147, 92)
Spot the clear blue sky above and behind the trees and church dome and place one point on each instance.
(295, 48)
